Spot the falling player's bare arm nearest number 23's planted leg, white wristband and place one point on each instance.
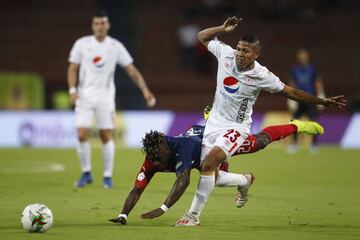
(179, 187)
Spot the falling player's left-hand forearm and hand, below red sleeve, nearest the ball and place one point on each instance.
(129, 204)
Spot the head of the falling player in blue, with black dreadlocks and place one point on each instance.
(151, 143)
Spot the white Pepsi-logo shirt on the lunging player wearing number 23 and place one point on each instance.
(236, 92)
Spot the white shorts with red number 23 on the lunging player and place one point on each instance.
(229, 139)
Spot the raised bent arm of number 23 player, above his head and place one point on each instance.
(206, 35)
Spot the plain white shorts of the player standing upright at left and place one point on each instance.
(104, 113)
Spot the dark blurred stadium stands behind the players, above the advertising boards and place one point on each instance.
(162, 36)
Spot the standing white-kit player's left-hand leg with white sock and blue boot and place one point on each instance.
(84, 154)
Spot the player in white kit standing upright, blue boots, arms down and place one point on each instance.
(93, 60)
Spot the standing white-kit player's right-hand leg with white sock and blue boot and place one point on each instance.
(108, 156)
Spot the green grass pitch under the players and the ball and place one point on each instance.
(300, 196)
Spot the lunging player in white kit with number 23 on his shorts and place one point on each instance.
(240, 78)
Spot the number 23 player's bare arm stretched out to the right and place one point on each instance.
(301, 96)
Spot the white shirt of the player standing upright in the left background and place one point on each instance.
(97, 66)
